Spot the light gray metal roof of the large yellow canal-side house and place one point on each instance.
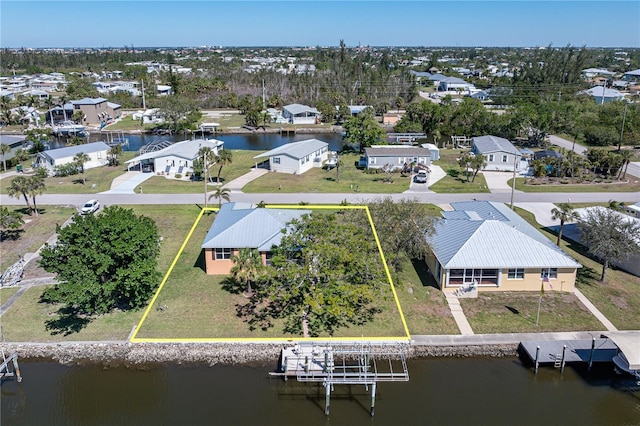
(482, 234)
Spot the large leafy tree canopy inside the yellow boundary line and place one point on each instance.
(325, 274)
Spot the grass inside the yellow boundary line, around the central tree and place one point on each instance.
(193, 304)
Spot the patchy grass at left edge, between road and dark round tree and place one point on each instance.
(34, 233)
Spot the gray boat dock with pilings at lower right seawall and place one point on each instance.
(560, 352)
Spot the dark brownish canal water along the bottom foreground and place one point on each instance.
(441, 391)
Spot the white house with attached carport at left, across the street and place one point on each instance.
(176, 158)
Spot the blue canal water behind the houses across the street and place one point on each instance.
(245, 141)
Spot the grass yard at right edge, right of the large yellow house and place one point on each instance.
(618, 299)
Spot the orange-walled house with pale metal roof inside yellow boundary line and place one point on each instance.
(242, 225)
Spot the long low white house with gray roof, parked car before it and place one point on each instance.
(396, 156)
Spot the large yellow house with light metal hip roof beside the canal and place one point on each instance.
(488, 246)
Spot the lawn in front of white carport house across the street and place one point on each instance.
(242, 163)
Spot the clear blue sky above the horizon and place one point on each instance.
(159, 23)
